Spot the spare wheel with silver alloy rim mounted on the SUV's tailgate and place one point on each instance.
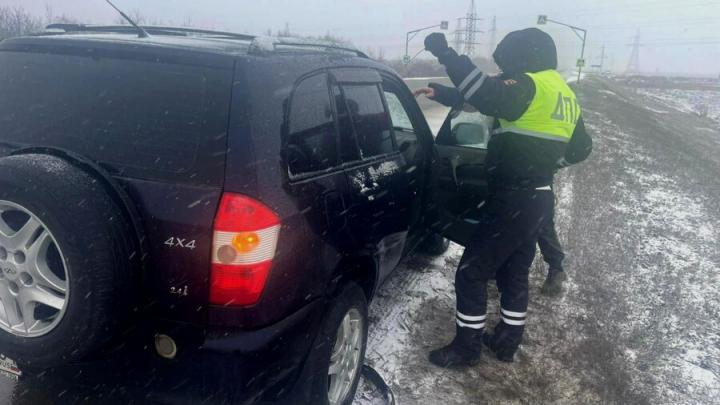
(85, 235)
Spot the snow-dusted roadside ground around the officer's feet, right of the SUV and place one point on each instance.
(637, 323)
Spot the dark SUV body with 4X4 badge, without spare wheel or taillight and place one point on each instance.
(172, 124)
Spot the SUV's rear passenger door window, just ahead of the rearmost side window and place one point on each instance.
(370, 119)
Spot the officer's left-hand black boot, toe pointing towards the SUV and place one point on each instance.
(463, 351)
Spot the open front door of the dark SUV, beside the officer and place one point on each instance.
(459, 184)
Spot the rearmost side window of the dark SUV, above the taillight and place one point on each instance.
(311, 141)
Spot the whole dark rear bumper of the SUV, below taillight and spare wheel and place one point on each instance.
(211, 366)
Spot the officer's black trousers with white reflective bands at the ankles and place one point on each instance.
(503, 247)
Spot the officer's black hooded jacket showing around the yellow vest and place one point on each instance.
(513, 160)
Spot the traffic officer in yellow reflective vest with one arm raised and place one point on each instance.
(536, 116)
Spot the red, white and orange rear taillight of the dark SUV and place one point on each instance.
(244, 242)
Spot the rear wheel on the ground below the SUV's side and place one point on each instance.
(349, 306)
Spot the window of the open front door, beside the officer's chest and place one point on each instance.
(468, 128)
